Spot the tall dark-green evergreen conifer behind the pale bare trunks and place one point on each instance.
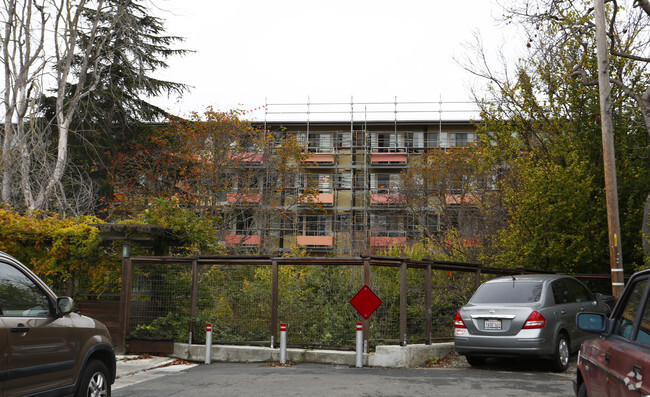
(115, 114)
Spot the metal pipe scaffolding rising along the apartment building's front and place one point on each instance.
(356, 152)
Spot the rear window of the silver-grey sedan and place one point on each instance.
(510, 292)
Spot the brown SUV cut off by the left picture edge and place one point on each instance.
(46, 348)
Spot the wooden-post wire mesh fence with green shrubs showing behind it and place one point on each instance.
(246, 301)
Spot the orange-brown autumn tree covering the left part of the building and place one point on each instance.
(217, 165)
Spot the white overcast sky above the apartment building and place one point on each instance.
(250, 52)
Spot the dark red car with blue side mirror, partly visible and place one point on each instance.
(617, 363)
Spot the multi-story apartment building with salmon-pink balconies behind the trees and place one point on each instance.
(352, 172)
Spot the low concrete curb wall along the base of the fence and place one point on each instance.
(410, 356)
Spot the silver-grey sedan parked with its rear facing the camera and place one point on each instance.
(525, 315)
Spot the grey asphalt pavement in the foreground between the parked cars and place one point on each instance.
(255, 379)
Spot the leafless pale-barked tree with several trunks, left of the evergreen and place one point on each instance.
(42, 51)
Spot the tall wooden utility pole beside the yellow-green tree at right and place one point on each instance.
(609, 158)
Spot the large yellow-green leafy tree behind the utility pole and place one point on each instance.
(541, 126)
